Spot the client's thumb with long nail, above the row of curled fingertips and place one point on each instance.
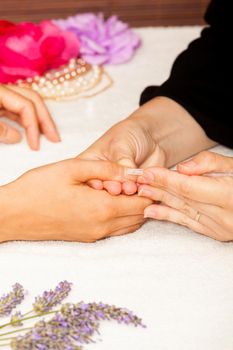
(85, 170)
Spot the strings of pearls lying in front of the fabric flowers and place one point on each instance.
(66, 82)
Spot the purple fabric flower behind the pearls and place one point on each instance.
(102, 42)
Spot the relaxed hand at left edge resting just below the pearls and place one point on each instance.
(27, 108)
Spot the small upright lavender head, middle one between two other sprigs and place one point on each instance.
(49, 299)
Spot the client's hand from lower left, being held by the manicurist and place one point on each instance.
(54, 203)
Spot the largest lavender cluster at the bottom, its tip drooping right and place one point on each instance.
(73, 326)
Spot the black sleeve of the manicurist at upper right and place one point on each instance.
(201, 78)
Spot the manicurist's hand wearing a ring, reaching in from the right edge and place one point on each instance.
(189, 198)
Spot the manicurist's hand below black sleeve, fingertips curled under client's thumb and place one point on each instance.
(161, 132)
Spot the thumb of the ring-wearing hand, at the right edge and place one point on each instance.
(206, 162)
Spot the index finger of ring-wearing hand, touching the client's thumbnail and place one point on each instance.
(199, 188)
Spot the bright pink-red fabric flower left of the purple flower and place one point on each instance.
(28, 49)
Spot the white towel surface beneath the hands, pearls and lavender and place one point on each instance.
(179, 282)
